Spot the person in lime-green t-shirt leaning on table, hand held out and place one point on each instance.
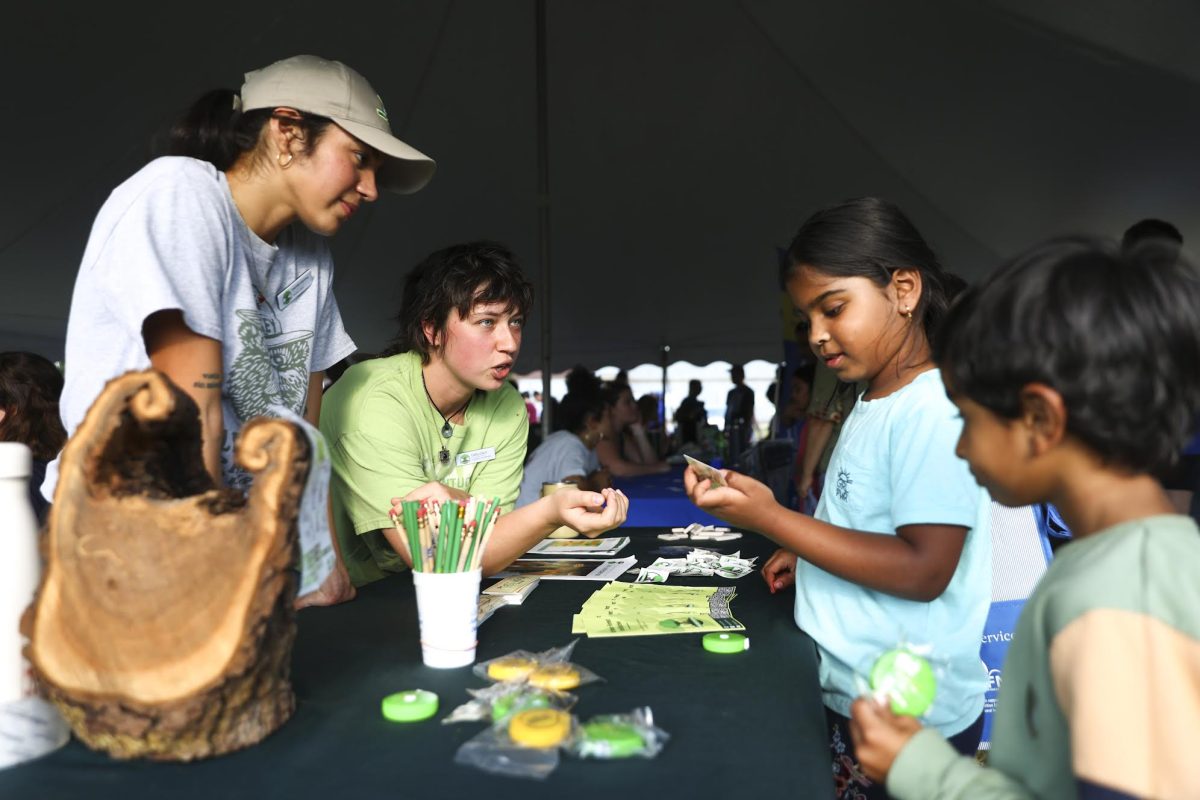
(439, 419)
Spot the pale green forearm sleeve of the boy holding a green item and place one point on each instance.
(928, 767)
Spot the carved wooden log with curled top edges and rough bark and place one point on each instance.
(164, 624)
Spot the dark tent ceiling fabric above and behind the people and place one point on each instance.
(688, 140)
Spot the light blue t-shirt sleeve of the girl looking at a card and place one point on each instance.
(931, 485)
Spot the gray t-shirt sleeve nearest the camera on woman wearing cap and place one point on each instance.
(170, 250)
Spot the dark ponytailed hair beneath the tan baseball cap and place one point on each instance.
(214, 130)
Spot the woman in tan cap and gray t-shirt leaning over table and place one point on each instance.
(211, 264)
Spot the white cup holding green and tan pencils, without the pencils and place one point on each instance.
(448, 610)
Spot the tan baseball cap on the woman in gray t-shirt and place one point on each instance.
(332, 89)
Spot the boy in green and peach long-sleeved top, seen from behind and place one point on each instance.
(1075, 369)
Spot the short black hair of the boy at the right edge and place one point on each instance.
(1115, 333)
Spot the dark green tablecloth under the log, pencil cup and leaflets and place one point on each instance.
(748, 725)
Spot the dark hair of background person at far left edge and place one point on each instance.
(31, 388)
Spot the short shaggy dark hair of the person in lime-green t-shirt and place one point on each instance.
(457, 279)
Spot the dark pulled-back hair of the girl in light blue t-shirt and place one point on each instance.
(872, 238)
